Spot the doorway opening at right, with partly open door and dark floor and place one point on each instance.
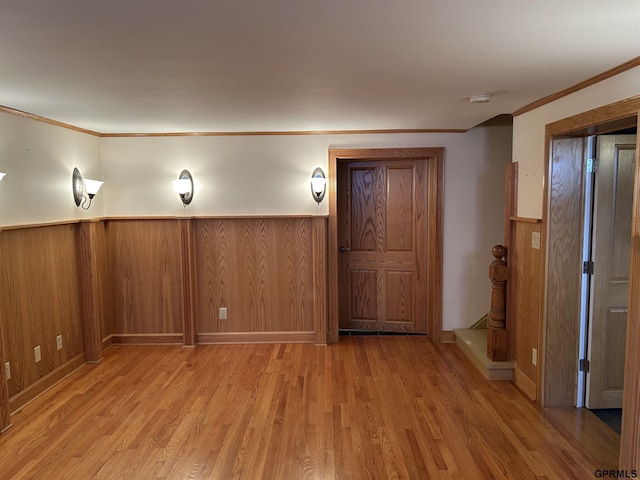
(608, 206)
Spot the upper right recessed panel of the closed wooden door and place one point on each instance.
(399, 214)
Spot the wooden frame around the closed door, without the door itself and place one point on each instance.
(435, 195)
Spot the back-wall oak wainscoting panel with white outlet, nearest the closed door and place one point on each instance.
(259, 269)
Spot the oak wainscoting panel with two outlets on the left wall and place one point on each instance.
(40, 299)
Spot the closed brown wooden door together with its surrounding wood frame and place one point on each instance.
(385, 240)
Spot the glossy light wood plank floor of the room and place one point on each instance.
(369, 407)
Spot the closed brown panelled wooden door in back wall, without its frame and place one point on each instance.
(382, 237)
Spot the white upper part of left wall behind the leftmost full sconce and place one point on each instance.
(38, 159)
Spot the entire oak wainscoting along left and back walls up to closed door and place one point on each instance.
(157, 280)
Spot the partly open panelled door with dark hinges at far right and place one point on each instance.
(610, 281)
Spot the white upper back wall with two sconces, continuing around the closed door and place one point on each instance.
(269, 175)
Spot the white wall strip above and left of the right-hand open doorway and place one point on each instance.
(529, 133)
